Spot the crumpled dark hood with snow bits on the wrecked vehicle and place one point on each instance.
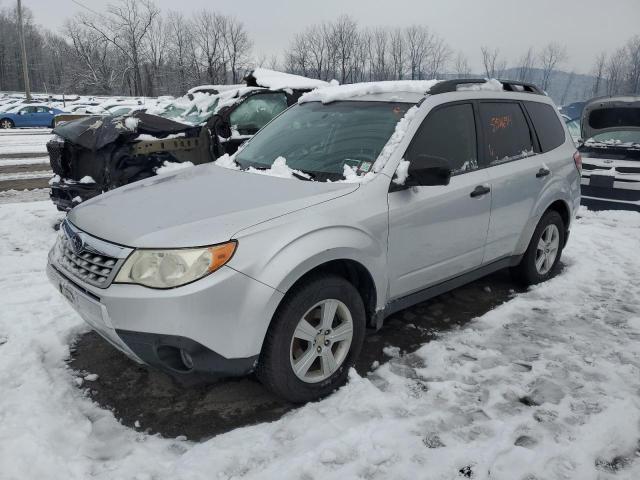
(94, 132)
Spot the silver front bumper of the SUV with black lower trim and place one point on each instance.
(219, 322)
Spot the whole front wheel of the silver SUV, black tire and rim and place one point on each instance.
(315, 337)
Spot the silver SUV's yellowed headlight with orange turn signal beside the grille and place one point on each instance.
(173, 268)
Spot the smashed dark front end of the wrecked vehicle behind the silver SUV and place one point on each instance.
(97, 154)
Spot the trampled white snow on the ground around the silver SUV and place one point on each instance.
(544, 387)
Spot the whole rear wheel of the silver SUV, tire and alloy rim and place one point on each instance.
(541, 259)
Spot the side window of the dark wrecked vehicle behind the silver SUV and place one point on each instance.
(256, 111)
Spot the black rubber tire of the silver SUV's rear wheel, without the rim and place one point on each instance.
(526, 272)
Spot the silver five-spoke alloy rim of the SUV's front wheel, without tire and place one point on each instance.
(321, 341)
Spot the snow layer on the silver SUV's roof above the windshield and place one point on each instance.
(398, 90)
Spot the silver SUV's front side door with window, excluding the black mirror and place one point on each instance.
(439, 232)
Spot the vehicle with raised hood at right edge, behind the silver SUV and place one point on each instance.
(610, 149)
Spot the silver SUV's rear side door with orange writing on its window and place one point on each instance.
(516, 171)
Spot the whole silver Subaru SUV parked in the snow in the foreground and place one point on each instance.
(357, 202)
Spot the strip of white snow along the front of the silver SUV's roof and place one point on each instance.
(335, 93)
